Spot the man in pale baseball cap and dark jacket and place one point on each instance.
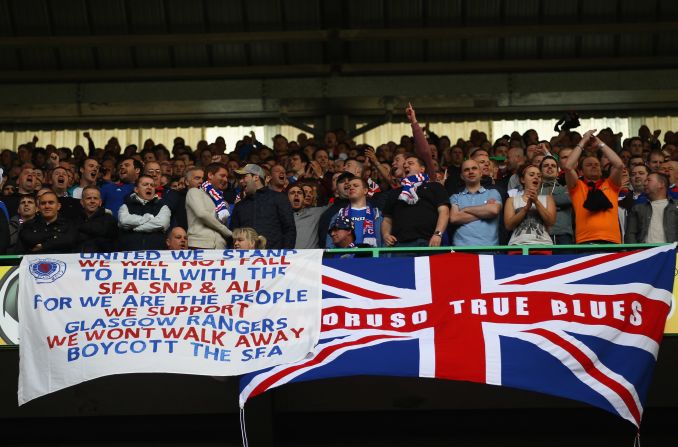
(263, 209)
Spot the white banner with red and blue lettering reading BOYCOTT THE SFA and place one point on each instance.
(221, 313)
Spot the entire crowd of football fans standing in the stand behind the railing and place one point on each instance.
(424, 190)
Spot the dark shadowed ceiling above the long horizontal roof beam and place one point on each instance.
(65, 40)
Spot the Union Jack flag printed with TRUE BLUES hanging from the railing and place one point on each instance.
(585, 327)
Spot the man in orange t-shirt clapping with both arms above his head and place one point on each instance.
(594, 198)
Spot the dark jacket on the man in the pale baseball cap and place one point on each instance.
(270, 214)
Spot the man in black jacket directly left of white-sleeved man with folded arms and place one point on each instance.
(97, 230)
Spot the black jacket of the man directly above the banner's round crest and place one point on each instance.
(58, 237)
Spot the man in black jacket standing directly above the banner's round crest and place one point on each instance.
(48, 232)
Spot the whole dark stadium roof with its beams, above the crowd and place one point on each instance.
(354, 56)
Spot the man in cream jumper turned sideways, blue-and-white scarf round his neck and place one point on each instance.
(207, 210)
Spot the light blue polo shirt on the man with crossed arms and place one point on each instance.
(479, 232)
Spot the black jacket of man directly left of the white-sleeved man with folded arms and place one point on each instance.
(97, 233)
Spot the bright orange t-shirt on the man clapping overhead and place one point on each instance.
(599, 225)
